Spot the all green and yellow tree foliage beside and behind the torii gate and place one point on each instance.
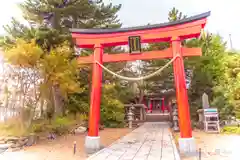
(46, 46)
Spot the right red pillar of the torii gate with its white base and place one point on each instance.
(182, 99)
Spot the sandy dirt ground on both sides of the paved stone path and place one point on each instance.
(213, 147)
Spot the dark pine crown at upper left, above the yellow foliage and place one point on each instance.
(50, 20)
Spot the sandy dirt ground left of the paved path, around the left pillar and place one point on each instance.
(62, 147)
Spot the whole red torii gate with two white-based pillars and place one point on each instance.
(173, 32)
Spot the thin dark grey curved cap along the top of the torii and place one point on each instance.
(146, 27)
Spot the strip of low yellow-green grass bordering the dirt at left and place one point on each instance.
(59, 126)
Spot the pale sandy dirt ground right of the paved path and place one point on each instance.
(216, 146)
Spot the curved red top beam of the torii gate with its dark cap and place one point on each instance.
(186, 28)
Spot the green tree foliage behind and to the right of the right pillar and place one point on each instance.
(216, 73)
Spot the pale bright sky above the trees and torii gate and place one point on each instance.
(141, 12)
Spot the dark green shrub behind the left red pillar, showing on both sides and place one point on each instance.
(112, 109)
